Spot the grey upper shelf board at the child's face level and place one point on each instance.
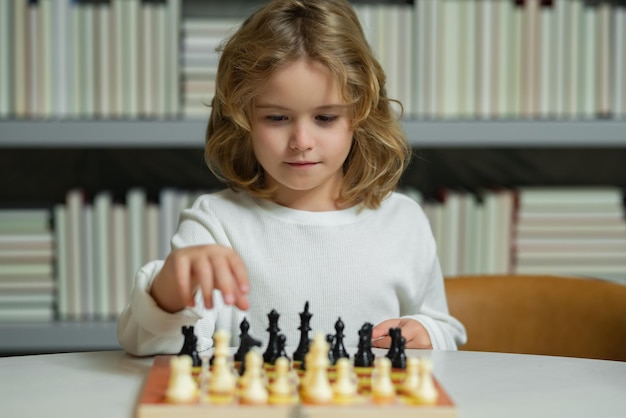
(422, 133)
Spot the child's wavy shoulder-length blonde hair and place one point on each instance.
(327, 31)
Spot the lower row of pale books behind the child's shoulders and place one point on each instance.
(78, 260)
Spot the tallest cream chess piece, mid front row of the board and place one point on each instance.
(316, 388)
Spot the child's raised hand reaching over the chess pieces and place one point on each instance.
(207, 267)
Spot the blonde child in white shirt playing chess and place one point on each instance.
(303, 134)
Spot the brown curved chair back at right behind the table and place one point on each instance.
(546, 315)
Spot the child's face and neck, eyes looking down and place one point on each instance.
(301, 134)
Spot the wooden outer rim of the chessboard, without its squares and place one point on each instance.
(152, 404)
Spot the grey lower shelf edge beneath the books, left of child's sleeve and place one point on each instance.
(50, 337)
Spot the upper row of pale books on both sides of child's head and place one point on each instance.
(445, 59)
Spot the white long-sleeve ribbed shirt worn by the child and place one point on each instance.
(360, 265)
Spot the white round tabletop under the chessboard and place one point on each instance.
(107, 384)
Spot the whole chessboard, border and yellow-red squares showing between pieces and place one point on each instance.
(153, 402)
